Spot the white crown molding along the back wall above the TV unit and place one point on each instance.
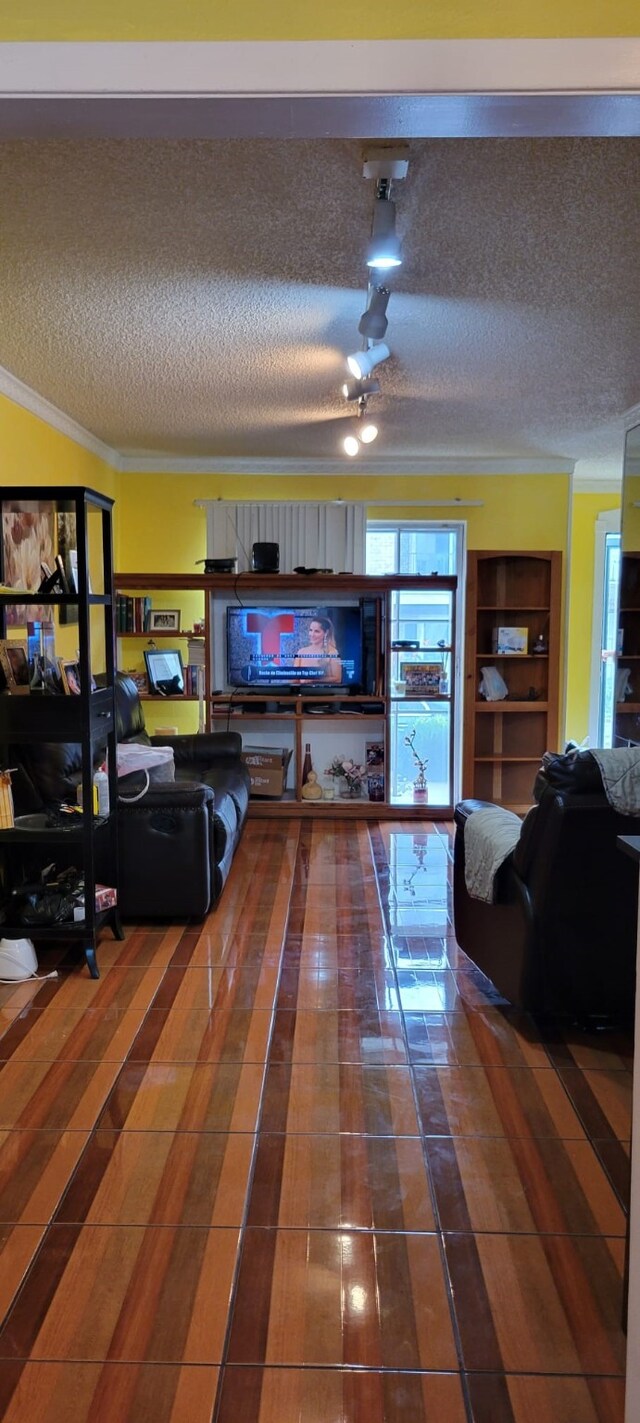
(432, 466)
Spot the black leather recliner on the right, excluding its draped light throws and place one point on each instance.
(561, 936)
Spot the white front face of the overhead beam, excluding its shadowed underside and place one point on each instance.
(321, 68)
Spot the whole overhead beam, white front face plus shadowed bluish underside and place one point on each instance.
(299, 89)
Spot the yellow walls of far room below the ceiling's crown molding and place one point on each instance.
(159, 529)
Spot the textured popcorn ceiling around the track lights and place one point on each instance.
(200, 298)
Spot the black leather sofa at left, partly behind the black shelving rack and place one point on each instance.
(177, 845)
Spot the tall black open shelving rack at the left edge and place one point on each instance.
(86, 719)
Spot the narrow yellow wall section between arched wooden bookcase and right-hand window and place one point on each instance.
(587, 507)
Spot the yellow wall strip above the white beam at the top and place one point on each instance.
(301, 21)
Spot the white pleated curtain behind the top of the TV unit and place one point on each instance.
(309, 536)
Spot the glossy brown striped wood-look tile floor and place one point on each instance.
(302, 1165)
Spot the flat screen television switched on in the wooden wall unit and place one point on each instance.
(308, 647)
